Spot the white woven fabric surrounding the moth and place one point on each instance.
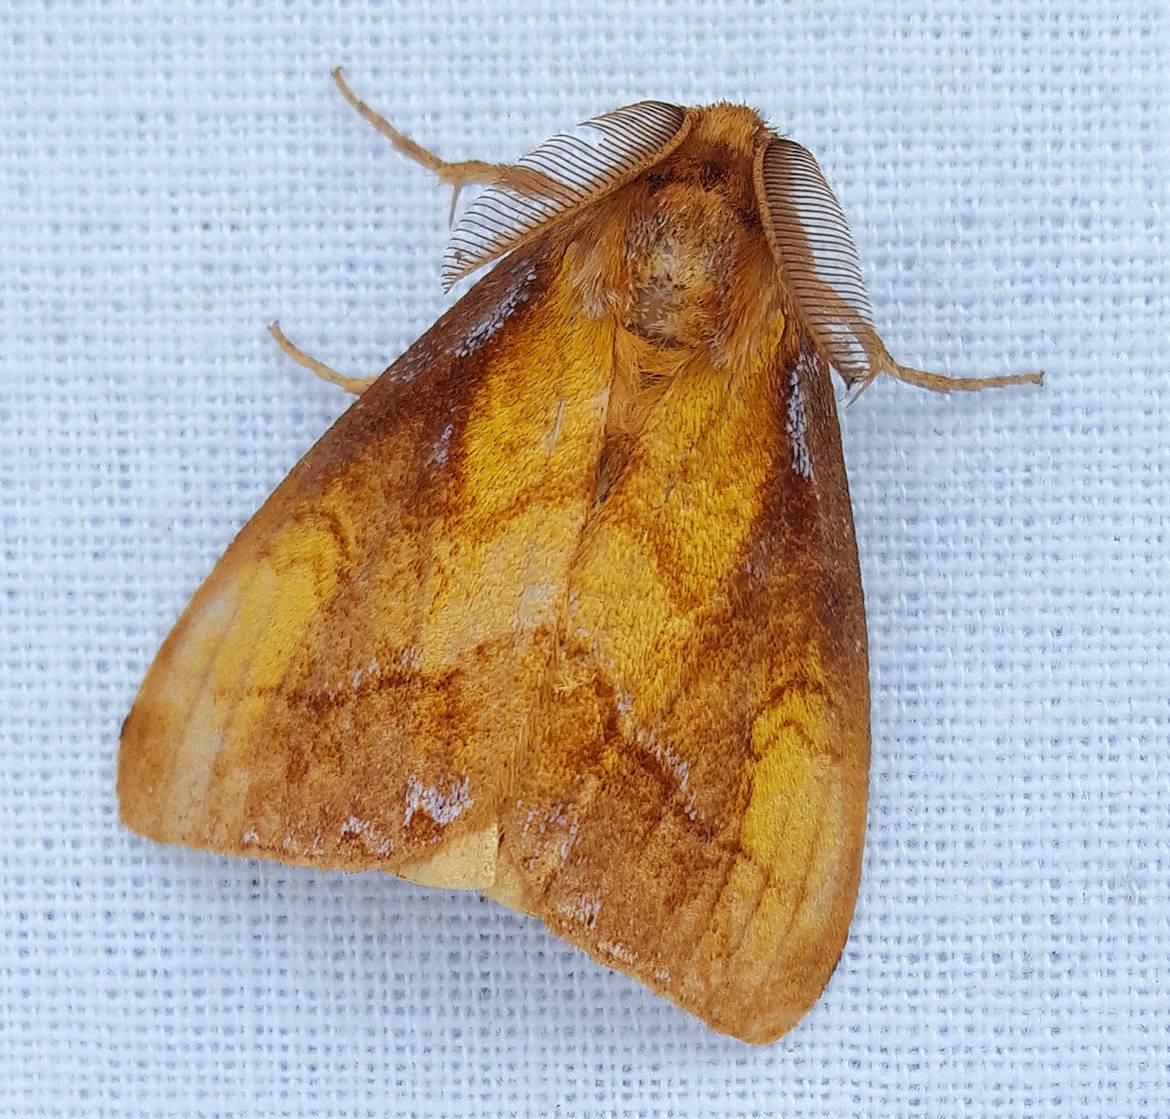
(175, 177)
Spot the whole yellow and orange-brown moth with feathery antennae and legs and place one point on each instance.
(567, 607)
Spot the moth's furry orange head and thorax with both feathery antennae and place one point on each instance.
(698, 226)
